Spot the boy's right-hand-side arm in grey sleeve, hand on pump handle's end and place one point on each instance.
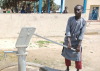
(81, 36)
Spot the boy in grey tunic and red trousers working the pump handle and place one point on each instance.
(74, 35)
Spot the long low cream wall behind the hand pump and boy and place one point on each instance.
(45, 24)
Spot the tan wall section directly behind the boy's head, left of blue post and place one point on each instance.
(72, 3)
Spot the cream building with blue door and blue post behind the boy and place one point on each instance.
(91, 8)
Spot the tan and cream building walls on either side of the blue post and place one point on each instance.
(90, 4)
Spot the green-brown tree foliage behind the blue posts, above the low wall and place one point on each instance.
(11, 4)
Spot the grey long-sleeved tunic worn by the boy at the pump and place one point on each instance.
(75, 30)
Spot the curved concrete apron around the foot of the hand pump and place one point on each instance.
(29, 67)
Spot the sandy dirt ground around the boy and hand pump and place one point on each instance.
(49, 54)
